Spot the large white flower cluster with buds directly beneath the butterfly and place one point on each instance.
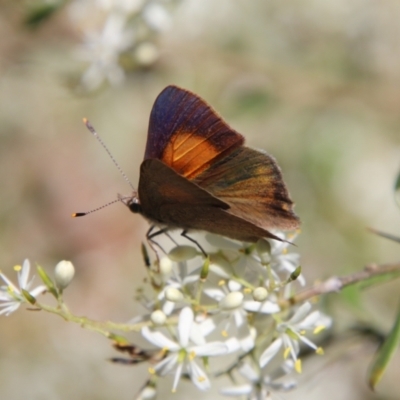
(231, 306)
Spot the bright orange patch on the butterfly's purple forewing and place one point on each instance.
(189, 154)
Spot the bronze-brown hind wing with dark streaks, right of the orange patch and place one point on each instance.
(251, 183)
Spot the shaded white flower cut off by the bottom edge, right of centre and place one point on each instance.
(259, 383)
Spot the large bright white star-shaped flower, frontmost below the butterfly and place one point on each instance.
(181, 353)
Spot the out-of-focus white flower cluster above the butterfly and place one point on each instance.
(117, 35)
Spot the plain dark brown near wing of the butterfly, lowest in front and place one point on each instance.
(167, 198)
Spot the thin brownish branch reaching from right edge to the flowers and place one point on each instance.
(337, 283)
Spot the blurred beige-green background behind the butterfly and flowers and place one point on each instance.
(316, 84)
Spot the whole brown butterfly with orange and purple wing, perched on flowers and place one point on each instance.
(198, 175)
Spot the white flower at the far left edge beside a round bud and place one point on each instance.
(11, 297)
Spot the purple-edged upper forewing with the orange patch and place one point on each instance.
(186, 134)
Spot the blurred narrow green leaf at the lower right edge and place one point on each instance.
(385, 354)
